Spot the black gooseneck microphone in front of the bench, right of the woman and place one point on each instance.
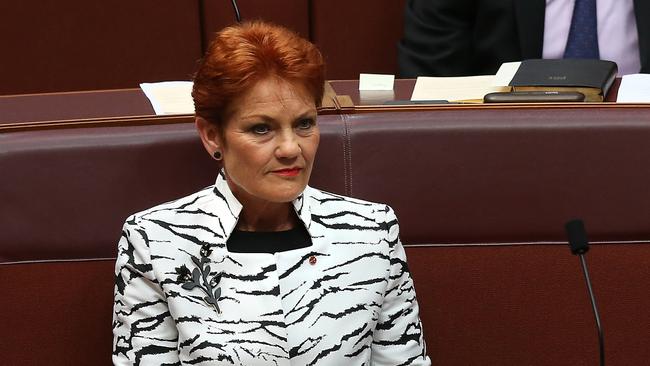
(579, 244)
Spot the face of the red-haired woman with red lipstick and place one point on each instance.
(269, 142)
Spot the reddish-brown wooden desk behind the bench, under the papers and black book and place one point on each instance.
(131, 106)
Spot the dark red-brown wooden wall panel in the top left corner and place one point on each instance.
(68, 45)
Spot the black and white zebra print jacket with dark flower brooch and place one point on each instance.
(182, 298)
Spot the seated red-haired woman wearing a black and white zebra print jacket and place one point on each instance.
(261, 269)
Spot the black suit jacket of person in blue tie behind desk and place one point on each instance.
(474, 37)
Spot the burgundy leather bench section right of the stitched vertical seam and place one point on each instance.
(482, 197)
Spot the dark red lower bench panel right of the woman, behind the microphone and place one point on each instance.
(528, 305)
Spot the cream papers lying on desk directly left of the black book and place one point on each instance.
(455, 89)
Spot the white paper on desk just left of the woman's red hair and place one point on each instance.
(170, 97)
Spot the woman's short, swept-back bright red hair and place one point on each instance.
(243, 54)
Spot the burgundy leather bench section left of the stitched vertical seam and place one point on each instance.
(65, 195)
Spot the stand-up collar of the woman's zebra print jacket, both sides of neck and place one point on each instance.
(230, 215)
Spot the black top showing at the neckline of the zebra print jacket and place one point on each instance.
(268, 242)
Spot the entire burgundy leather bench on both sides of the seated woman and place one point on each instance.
(482, 196)
